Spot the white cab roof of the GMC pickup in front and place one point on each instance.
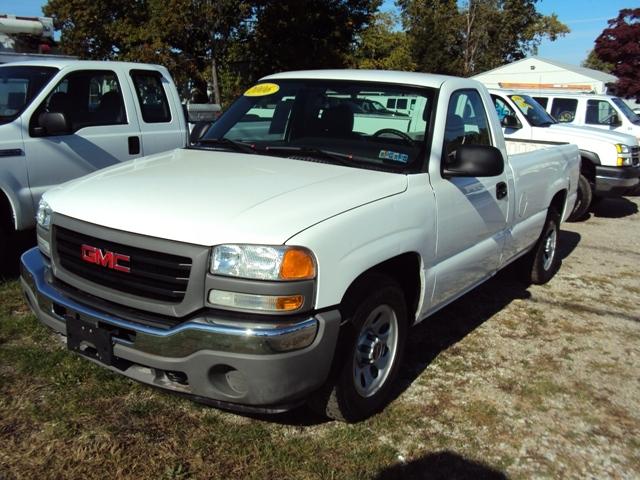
(385, 76)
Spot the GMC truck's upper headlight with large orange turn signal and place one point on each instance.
(263, 262)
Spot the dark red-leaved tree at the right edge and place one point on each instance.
(619, 44)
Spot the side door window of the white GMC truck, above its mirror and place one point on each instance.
(466, 122)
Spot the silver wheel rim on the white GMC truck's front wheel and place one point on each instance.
(375, 351)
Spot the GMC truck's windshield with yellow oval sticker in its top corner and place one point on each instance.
(332, 121)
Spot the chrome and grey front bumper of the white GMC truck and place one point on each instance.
(225, 360)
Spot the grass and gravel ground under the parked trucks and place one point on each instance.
(508, 382)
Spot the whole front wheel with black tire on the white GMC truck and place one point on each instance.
(374, 338)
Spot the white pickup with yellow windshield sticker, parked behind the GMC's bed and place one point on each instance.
(610, 161)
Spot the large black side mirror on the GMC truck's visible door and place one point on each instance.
(474, 161)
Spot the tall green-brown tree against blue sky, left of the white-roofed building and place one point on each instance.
(476, 35)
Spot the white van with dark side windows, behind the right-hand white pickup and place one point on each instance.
(584, 109)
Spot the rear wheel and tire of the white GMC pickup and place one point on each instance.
(541, 264)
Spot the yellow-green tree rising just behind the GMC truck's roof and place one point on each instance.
(382, 46)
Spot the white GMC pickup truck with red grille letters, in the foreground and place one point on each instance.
(285, 256)
